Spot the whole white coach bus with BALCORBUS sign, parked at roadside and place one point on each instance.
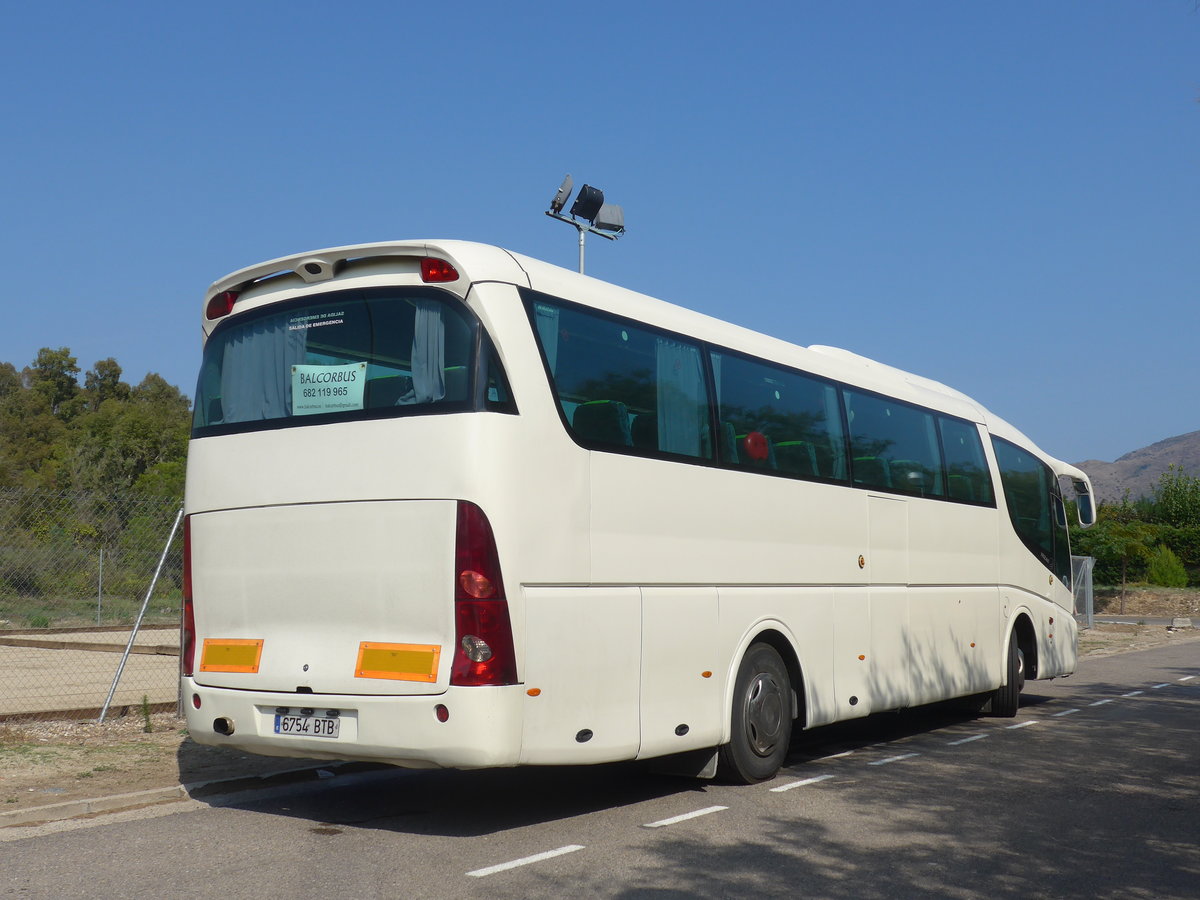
(453, 507)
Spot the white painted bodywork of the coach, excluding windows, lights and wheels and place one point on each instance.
(634, 585)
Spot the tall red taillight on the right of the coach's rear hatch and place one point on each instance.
(484, 650)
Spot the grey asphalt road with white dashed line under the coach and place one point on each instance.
(1094, 791)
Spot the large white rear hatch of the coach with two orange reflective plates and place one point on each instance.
(332, 591)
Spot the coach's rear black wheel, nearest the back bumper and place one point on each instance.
(761, 719)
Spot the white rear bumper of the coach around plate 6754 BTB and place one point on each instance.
(483, 728)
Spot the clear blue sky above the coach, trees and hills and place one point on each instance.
(999, 196)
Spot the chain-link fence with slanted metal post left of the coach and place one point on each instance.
(75, 571)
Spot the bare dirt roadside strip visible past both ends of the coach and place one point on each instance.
(50, 763)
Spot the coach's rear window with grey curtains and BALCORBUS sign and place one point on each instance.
(345, 356)
